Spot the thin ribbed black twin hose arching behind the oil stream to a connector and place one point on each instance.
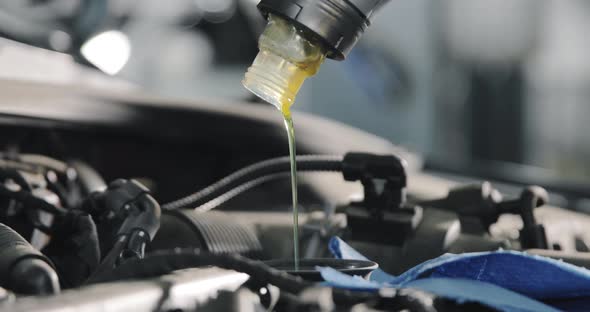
(256, 172)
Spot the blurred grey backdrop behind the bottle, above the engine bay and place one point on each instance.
(489, 88)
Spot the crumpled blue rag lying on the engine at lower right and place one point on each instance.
(504, 280)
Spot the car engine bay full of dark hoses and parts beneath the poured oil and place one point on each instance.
(153, 206)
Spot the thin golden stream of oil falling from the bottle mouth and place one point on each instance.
(292, 153)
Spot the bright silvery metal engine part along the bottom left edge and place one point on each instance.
(182, 290)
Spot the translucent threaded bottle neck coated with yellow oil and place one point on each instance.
(285, 60)
